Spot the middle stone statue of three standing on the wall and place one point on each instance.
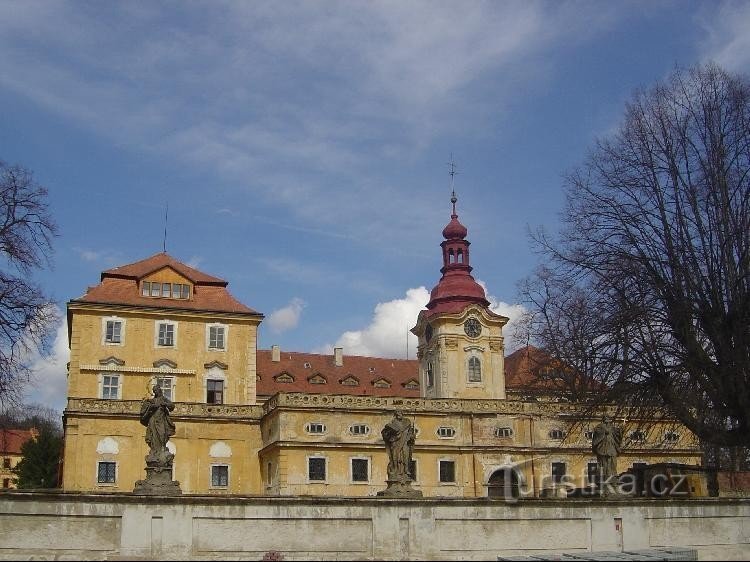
(399, 436)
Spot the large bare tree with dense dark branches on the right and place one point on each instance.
(646, 287)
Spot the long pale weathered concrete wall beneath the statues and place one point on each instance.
(45, 526)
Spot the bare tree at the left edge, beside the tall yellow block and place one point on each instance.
(27, 315)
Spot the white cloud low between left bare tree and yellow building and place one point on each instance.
(48, 384)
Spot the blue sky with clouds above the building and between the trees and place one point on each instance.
(302, 147)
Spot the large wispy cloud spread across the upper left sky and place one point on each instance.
(295, 118)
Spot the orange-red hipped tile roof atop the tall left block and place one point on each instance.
(120, 285)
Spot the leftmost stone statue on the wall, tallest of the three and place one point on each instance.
(159, 428)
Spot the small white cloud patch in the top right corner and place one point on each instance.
(727, 39)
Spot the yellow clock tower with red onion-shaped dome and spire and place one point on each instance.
(461, 346)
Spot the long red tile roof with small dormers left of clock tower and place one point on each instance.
(367, 370)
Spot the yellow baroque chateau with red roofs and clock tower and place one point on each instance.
(271, 422)
